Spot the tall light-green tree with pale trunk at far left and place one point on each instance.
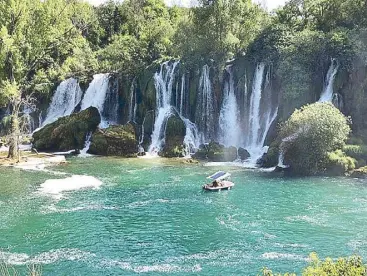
(39, 42)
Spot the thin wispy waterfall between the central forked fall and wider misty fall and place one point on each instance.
(205, 114)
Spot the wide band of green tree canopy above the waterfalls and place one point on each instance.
(43, 42)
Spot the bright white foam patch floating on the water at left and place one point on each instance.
(56, 187)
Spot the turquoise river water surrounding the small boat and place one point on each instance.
(151, 217)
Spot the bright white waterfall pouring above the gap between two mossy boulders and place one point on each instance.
(96, 95)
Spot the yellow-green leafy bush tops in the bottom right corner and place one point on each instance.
(352, 266)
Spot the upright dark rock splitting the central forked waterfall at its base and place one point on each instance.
(175, 135)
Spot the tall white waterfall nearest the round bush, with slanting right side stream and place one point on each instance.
(261, 115)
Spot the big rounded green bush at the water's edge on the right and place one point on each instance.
(310, 135)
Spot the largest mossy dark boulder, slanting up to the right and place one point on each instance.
(67, 133)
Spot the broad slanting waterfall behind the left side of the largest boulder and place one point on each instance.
(67, 96)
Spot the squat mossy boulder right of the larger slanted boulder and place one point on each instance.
(115, 141)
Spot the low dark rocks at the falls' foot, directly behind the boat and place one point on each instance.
(216, 152)
